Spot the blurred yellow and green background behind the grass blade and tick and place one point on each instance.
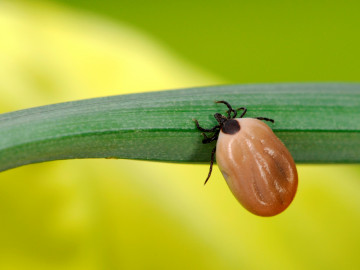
(120, 214)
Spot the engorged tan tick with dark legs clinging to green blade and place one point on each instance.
(256, 165)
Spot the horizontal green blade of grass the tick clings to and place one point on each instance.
(319, 123)
